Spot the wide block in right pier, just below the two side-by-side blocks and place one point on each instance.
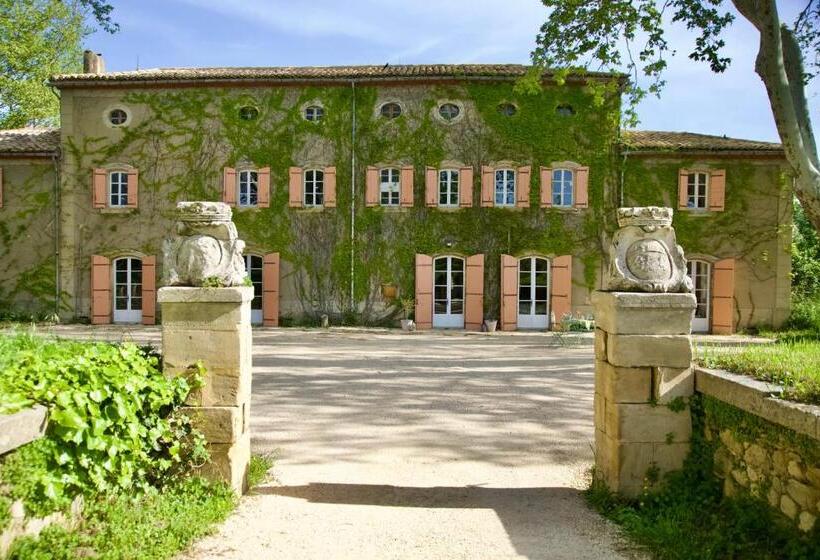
(647, 423)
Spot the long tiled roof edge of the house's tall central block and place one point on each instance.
(310, 73)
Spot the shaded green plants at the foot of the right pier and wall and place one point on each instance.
(686, 517)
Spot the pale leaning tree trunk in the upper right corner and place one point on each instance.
(779, 65)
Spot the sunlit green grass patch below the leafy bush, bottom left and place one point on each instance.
(153, 526)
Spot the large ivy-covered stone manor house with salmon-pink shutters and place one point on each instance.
(359, 189)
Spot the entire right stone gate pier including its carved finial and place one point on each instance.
(643, 354)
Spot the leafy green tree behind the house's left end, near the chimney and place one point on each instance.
(39, 38)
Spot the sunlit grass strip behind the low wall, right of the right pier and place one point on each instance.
(793, 361)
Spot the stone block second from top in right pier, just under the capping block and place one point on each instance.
(649, 350)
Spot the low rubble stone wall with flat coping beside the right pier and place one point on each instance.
(764, 446)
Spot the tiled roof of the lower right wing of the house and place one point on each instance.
(661, 141)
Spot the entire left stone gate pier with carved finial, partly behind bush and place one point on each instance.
(206, 319)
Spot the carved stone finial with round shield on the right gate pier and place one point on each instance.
(645, 255)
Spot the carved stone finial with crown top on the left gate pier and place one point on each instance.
(205, 247)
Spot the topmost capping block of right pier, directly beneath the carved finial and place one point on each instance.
(643, 313)
